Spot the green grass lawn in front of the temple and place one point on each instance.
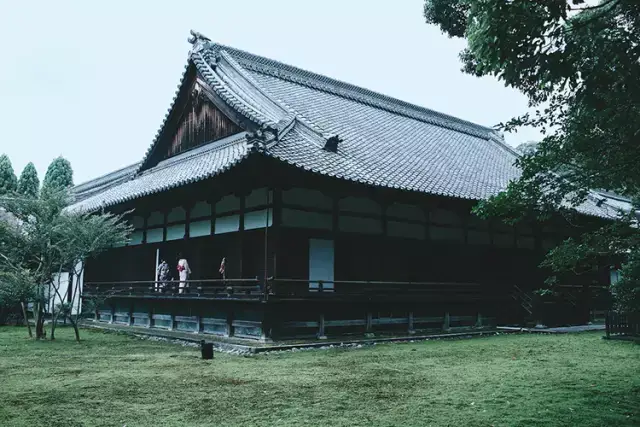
(507, 380)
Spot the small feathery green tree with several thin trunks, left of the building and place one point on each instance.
(48, 240)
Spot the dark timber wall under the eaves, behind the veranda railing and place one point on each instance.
(357, 256)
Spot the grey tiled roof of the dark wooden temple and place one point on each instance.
(385, 141)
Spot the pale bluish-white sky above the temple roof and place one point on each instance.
(91, 81)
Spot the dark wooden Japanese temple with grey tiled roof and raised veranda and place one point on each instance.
(336, 210)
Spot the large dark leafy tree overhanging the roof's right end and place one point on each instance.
(577, 62)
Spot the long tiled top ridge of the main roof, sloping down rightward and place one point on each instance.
(317, 81)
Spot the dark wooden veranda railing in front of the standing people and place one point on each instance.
(211, 288)
